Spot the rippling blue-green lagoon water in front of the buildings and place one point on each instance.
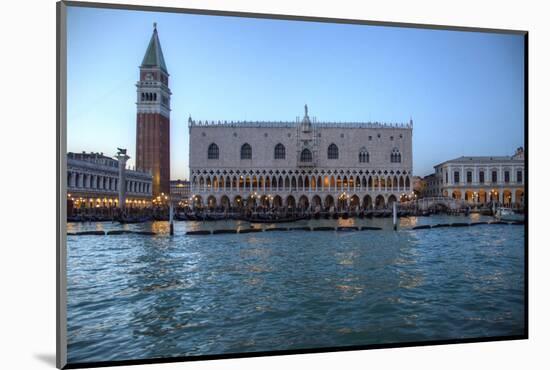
(136, 297)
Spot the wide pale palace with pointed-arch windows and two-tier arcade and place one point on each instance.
(299, 164)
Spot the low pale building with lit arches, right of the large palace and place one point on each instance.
(481, 179)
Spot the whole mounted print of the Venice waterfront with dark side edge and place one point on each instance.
(241, 185)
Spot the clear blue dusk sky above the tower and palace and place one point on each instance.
(463, 90)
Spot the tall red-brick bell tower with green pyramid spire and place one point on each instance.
(153, 117)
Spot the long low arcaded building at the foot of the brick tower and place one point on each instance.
(93, 181)
